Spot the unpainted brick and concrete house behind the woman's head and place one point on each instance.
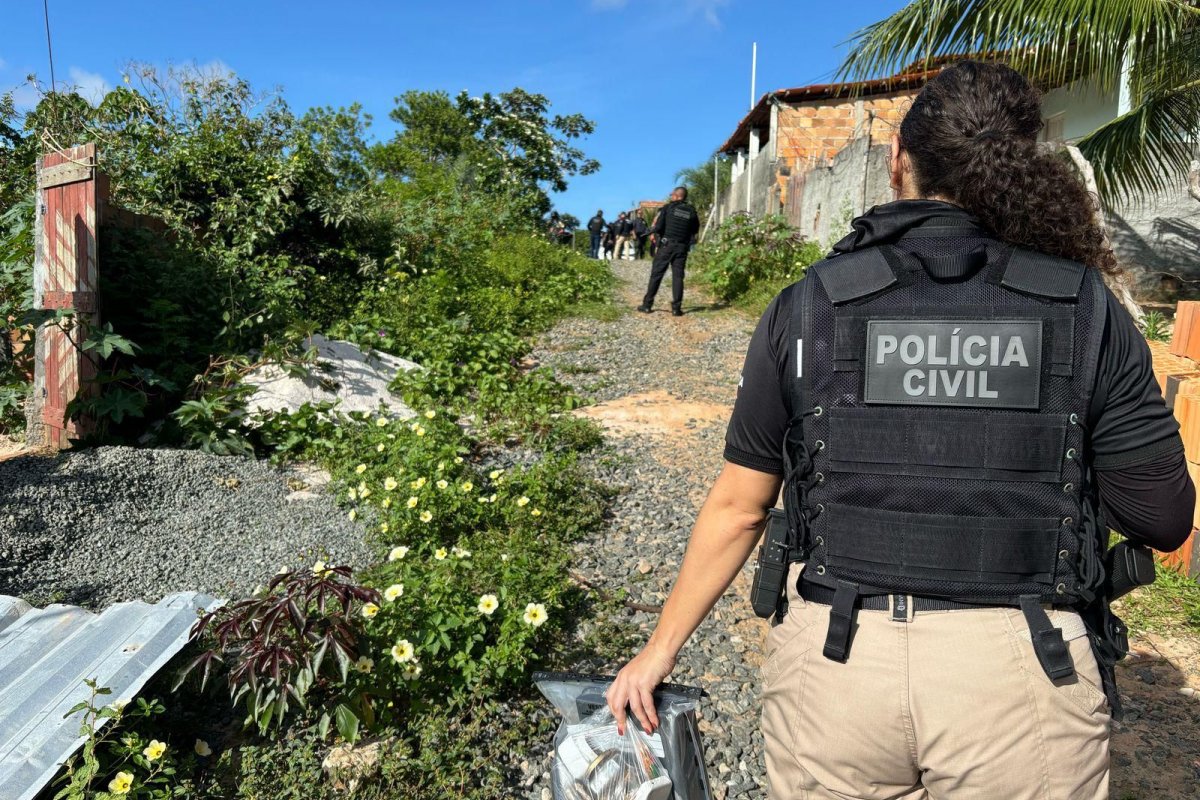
(819, 155)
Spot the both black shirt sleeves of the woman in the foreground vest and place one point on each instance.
(1141, 471)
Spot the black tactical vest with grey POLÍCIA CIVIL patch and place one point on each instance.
(938, 446)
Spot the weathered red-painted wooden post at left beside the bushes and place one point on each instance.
(71, 201)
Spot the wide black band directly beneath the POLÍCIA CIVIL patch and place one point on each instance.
(947, 444)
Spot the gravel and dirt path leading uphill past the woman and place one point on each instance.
(663, 388)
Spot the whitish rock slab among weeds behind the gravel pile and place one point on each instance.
(357, 381)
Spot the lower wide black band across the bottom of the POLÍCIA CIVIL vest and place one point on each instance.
(968, 550)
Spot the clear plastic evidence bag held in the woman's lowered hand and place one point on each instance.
(593, 762)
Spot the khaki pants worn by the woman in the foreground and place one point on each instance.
(947, 706)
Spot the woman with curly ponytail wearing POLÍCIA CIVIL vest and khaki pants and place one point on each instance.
(962, 411)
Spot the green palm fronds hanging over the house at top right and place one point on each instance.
(1157, 43)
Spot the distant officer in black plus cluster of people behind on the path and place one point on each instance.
(671, 237)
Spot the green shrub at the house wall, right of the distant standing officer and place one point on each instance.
(749, 258)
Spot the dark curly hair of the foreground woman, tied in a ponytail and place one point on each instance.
(973, 139)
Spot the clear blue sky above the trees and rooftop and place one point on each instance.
(665, 81)
